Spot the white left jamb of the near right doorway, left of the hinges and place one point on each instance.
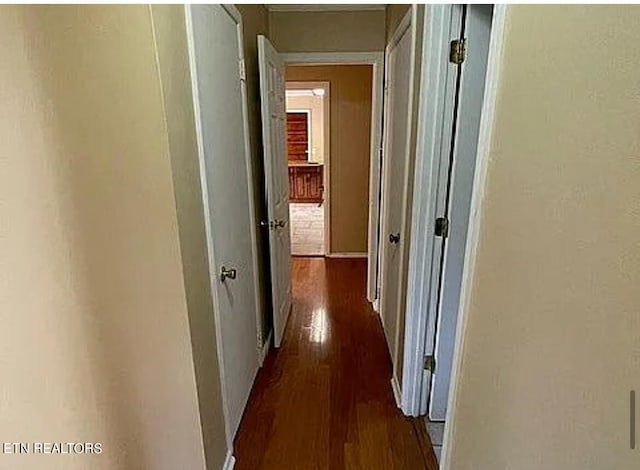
(431, 141)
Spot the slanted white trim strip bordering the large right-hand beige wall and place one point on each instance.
(479, 185)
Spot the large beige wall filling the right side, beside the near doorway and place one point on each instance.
(553, 336)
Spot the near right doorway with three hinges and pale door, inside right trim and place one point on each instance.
(455, 112)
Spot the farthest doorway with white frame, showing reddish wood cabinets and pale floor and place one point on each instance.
(307, 126)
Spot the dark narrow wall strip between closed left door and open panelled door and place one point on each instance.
(255, 21)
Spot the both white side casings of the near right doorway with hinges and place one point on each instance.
(423, 217)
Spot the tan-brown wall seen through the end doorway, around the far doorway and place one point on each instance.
(350, 151)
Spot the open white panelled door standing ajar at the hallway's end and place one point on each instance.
(272, 92)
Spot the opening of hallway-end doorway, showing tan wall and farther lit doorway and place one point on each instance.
(329, 114)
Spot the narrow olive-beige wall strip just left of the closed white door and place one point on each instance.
(173, 61)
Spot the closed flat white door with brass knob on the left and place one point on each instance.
(221, 118)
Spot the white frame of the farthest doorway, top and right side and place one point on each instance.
(326, 127)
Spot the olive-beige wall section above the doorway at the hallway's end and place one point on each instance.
(351, 31)
